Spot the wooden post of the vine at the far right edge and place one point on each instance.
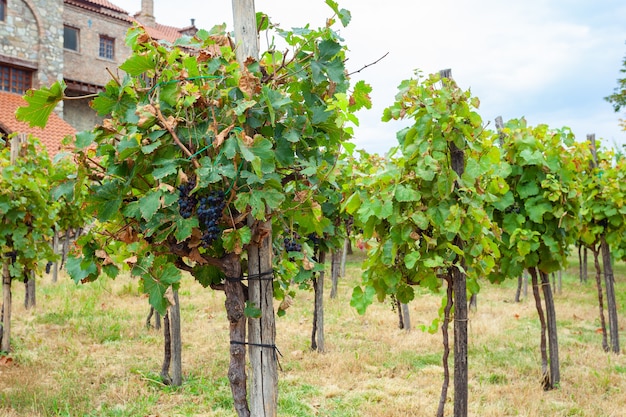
(608, 271)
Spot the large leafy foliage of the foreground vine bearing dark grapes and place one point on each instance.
(267, 134)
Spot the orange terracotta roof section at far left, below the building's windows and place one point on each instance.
(51, 136)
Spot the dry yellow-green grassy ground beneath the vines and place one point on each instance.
(84, 351)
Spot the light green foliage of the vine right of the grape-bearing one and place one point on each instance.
(416, 206)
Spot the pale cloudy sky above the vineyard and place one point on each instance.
(550, 61)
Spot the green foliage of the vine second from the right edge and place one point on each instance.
(539, 210)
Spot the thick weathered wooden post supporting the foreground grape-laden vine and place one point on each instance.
(262, 330)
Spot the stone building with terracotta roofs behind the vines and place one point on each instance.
(79, 41)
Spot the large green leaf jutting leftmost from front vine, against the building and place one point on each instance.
(41, 103)
